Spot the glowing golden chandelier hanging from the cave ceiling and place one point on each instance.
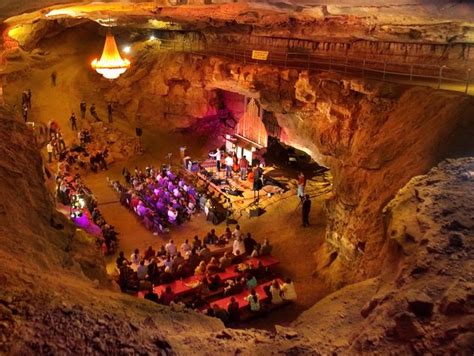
(111, 65)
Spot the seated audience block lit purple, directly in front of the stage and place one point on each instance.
(158, 197)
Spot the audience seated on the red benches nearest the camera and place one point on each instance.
(143, 270)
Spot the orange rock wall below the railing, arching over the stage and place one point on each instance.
(373, 136)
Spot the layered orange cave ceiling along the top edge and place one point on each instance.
(393, 20)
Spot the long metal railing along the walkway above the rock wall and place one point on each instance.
(440, 76)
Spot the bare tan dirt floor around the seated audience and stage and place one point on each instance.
(293, 245)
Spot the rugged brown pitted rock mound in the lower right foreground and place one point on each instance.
(423, 303)
